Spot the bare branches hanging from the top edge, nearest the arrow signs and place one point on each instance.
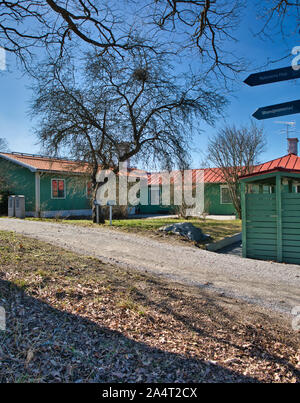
(205, 25)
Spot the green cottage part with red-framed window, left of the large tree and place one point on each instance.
(52, 187)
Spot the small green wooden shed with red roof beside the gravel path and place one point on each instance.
(270, 199)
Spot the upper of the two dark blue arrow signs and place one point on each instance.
(272, 76)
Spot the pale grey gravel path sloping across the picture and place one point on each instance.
(272, 285)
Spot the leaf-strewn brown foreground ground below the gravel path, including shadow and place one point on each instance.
(75, 319)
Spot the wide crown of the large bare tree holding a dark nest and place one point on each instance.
(136, 100)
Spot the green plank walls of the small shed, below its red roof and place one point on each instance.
(271, 224)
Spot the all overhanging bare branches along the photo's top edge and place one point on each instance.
(27, 27)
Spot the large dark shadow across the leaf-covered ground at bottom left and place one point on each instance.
(44, 344)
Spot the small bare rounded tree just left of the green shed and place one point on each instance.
(235, 152)
